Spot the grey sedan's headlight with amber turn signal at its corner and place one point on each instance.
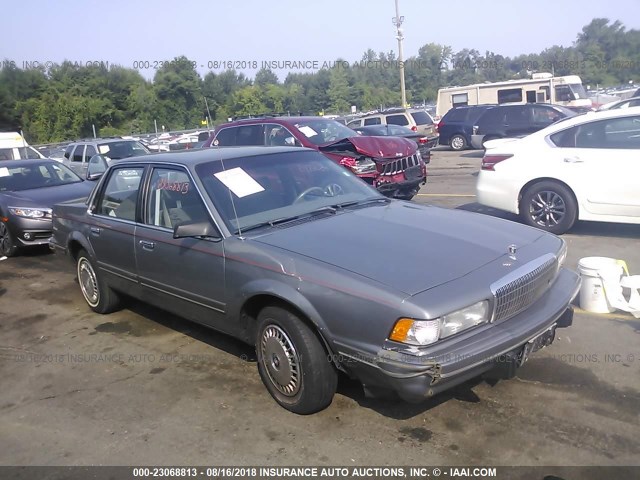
(426, 332)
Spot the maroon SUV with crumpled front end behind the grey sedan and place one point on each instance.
(391, 164)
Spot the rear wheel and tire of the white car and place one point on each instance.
(549, 206)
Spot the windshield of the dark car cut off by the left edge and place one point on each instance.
(35, 175)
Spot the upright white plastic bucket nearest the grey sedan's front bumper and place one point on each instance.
(596, 272)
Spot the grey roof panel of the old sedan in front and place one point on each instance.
(211, 154)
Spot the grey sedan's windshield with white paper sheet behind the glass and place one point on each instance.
(269, 188)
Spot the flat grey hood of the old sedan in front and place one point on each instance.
(407, 247)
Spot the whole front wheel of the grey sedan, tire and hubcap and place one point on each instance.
(292, 362)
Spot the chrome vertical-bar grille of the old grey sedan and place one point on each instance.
(532, 280)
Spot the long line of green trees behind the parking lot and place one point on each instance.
(64, 101)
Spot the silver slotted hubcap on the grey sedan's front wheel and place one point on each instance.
(280, 360)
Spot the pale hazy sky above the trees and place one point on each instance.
(141, 33)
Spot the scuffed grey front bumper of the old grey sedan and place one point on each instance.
(424, 372)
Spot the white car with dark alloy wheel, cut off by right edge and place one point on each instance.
(583, 168)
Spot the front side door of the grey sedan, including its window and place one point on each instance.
(184, 275)
